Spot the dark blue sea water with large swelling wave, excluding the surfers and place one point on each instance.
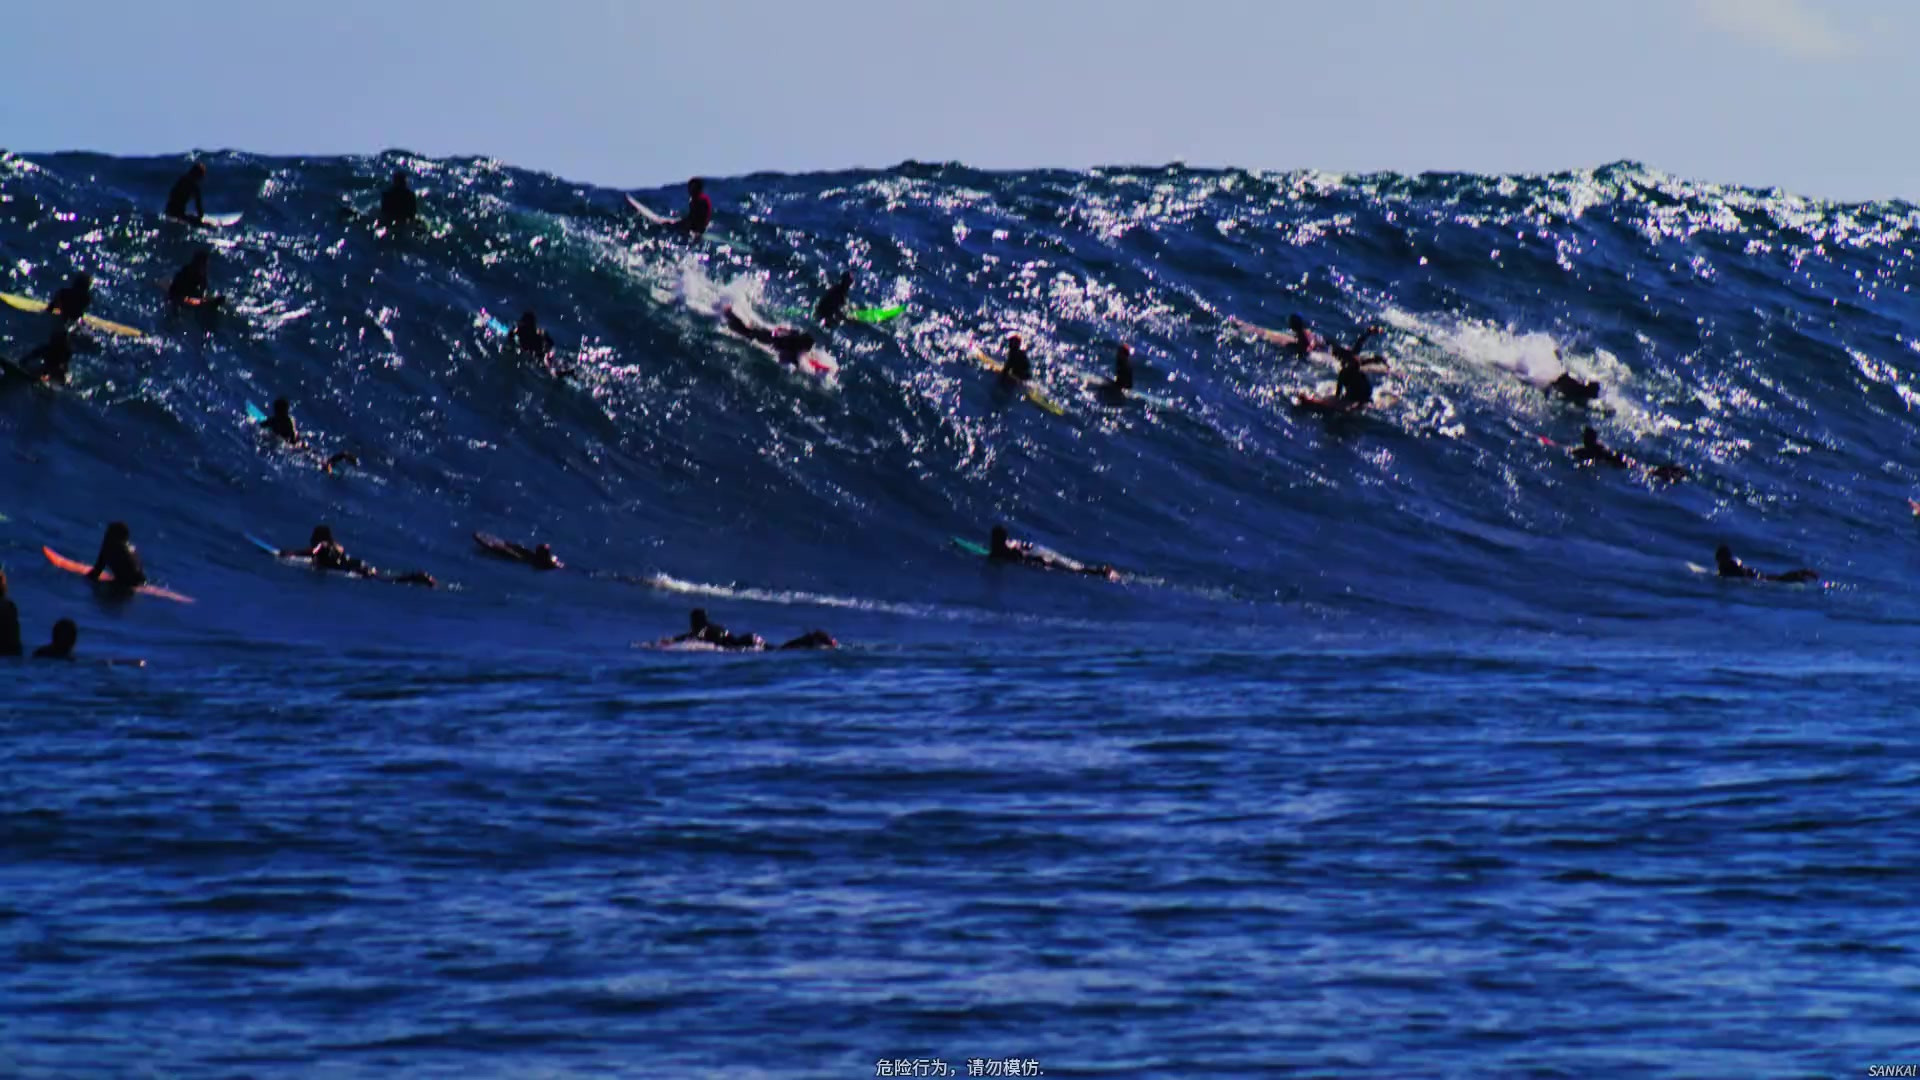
(1404, 749)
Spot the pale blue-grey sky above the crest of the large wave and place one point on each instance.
(1810, 95)
